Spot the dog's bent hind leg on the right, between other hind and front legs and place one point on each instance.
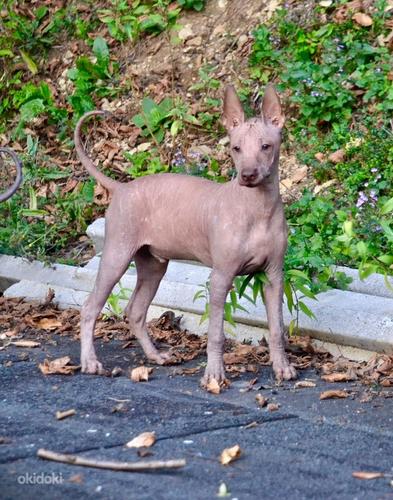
(150, 272)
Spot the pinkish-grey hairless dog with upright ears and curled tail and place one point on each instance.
(235, 228)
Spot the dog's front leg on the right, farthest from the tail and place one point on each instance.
(277, 340)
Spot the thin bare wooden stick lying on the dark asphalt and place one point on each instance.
(104, 464)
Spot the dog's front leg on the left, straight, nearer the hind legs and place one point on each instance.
(220, 283)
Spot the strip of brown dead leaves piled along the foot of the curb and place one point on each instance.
(19, 318)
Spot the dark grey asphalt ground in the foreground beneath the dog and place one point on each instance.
(306, 449)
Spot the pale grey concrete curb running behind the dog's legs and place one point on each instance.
(342, 317)
